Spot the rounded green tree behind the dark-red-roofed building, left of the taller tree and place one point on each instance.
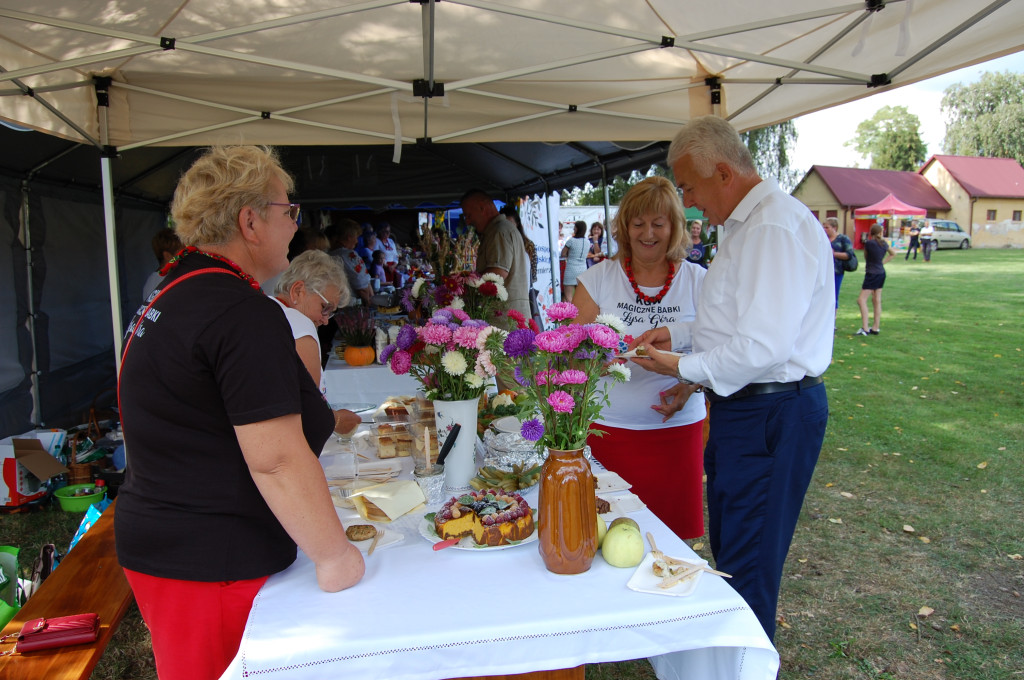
(892, 140)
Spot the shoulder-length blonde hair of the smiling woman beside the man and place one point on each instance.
(654, 196)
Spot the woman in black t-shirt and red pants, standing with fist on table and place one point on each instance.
(223, 423)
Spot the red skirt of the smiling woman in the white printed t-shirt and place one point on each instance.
(666, 469)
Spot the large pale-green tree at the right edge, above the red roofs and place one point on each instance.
(986, 118)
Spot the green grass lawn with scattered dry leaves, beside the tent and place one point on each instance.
(907, 563)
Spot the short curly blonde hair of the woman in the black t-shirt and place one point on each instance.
(217, 188)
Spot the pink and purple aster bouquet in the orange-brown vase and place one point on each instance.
(561, 371)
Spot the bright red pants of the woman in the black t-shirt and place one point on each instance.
(196, 627)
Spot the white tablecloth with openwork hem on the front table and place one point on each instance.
(420, 615)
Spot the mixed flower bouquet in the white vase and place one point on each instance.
(448, 356)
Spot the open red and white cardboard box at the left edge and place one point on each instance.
(26, 462)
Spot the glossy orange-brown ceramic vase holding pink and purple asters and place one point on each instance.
(567, 513)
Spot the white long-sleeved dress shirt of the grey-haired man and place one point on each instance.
(767, 306)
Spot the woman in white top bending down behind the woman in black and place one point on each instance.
(311, 291)
